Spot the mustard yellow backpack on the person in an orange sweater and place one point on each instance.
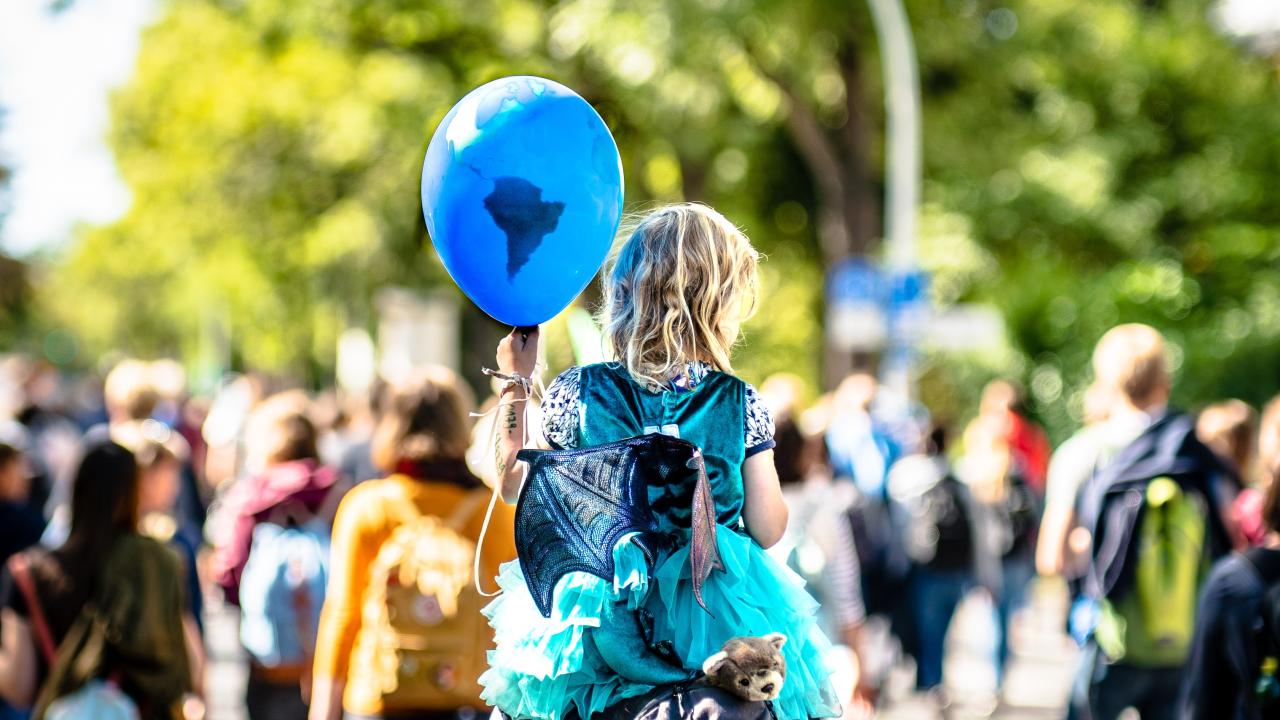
(429, 640)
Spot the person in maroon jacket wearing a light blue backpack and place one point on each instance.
(275, 531)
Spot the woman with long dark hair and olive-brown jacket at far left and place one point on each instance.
(107, 605)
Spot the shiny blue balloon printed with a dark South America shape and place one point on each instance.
(523, 197)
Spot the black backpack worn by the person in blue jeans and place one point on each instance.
(940, 532)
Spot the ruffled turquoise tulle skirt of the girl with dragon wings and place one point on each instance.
(545, 667)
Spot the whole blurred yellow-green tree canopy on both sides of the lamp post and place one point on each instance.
(1087, 162)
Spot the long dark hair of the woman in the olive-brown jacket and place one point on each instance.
(104, 508)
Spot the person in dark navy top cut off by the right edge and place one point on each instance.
(1232, 673)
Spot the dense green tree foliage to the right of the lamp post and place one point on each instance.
(1108, 163)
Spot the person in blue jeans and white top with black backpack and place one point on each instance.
(941, 539)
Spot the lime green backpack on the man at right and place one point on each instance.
(1151, 626)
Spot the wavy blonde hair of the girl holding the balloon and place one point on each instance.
(678, 291)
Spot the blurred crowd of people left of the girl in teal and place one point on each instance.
(118, 522)
